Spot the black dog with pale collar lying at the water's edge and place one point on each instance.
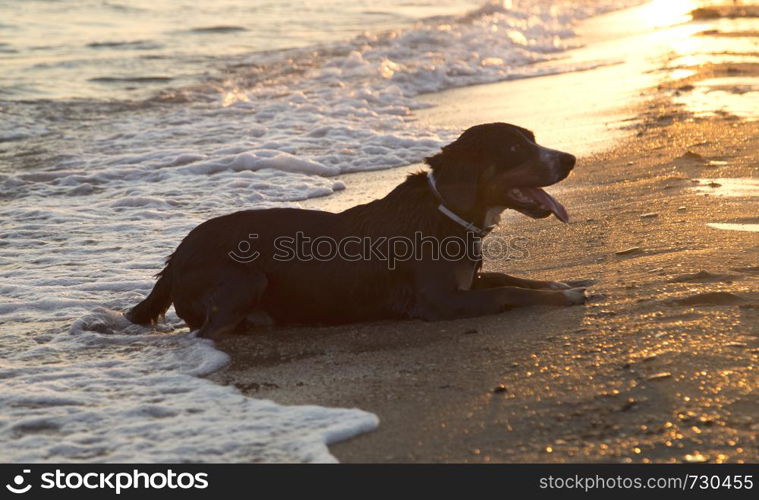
(246, 263)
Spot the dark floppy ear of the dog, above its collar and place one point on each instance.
(456, 182)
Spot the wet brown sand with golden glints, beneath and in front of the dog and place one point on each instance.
(661, 364)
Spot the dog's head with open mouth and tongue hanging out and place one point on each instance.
(500, 165)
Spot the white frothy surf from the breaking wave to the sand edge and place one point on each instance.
(105, 190)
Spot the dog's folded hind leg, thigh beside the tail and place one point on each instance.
(236, 294)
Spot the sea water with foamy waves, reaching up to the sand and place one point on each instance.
(125, 124)
